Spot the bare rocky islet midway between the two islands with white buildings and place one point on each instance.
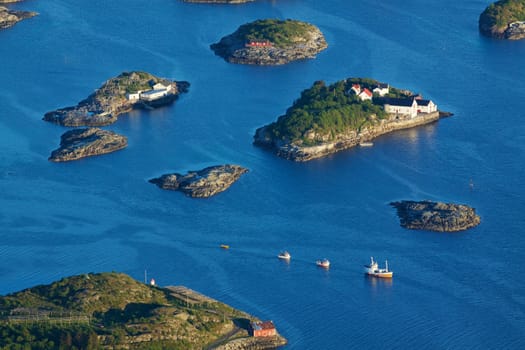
(203, 183)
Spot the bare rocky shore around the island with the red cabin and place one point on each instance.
(235, 48)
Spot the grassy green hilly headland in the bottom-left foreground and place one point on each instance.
(114, 311)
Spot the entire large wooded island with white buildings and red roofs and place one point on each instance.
(327, 119)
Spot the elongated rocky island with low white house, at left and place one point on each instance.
(119, 95)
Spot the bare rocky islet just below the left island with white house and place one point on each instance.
(81, 143)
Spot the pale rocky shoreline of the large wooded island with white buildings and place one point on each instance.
(342, 141)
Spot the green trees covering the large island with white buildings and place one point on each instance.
(322, 112)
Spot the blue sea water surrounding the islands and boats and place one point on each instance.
(454, 291)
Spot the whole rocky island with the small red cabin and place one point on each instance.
(271, 42)
